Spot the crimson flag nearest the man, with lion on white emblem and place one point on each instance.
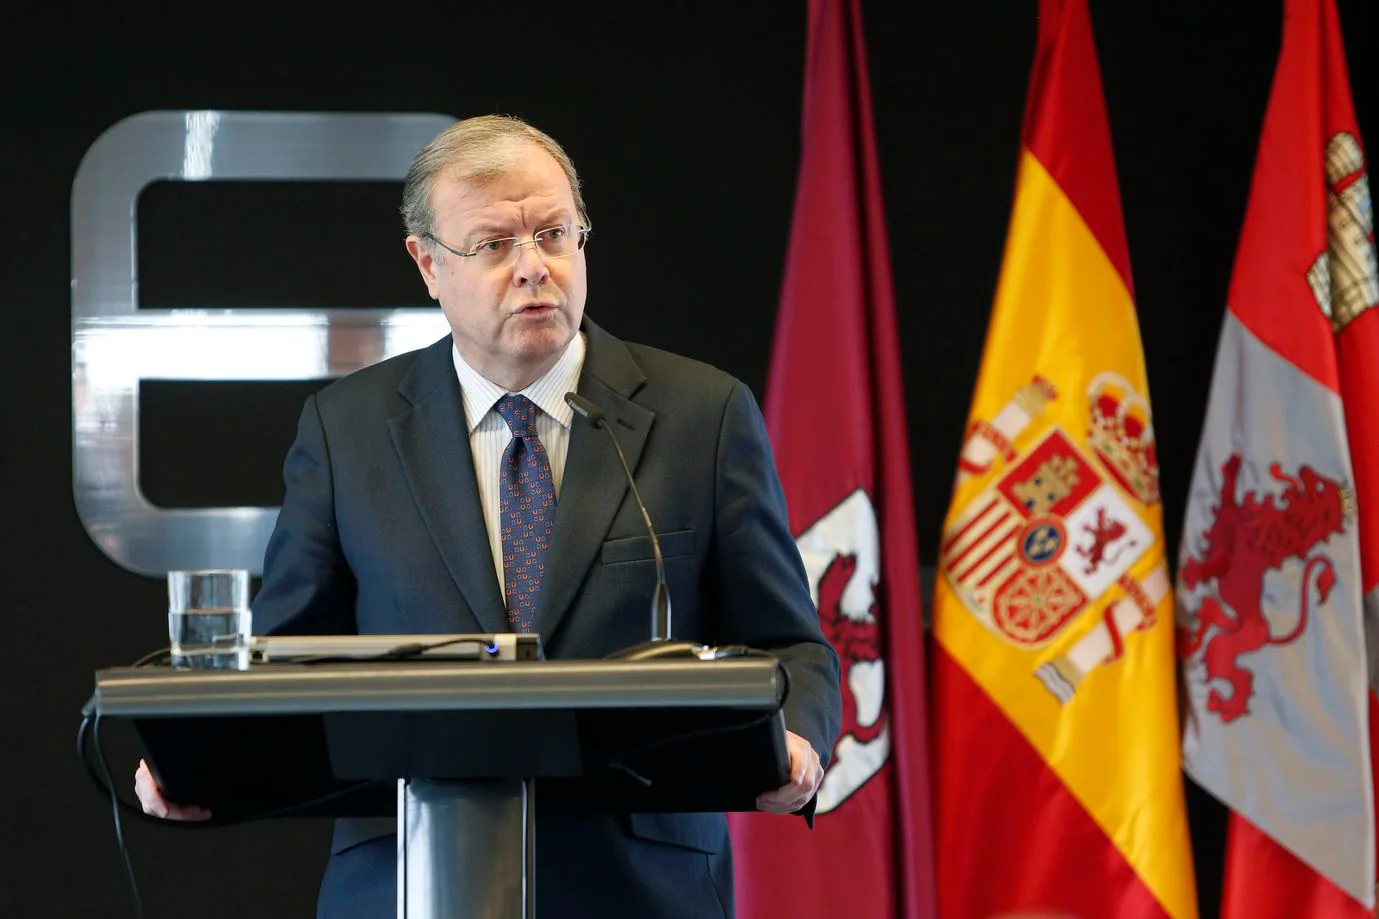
(836, 416)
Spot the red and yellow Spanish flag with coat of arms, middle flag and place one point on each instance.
(1058, 782)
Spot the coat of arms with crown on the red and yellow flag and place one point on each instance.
(1058, 529)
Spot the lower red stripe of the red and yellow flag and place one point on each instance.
(992, 780)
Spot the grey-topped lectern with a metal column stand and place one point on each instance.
(456, 753)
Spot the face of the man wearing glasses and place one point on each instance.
(511, 324)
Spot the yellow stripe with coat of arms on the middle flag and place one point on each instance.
(1053, 590)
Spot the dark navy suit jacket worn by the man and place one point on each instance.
(381, 532)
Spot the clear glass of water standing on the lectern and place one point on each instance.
(209, 619)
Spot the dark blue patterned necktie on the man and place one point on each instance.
(526, 511)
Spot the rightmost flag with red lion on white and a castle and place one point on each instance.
(1280, 553)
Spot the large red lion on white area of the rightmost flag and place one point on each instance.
(1247, 539)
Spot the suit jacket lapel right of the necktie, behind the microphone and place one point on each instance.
(594, 486)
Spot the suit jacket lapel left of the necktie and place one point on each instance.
(432, 442)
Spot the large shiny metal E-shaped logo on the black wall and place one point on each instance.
(115, 344)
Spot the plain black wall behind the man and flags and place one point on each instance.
(685, 123)
